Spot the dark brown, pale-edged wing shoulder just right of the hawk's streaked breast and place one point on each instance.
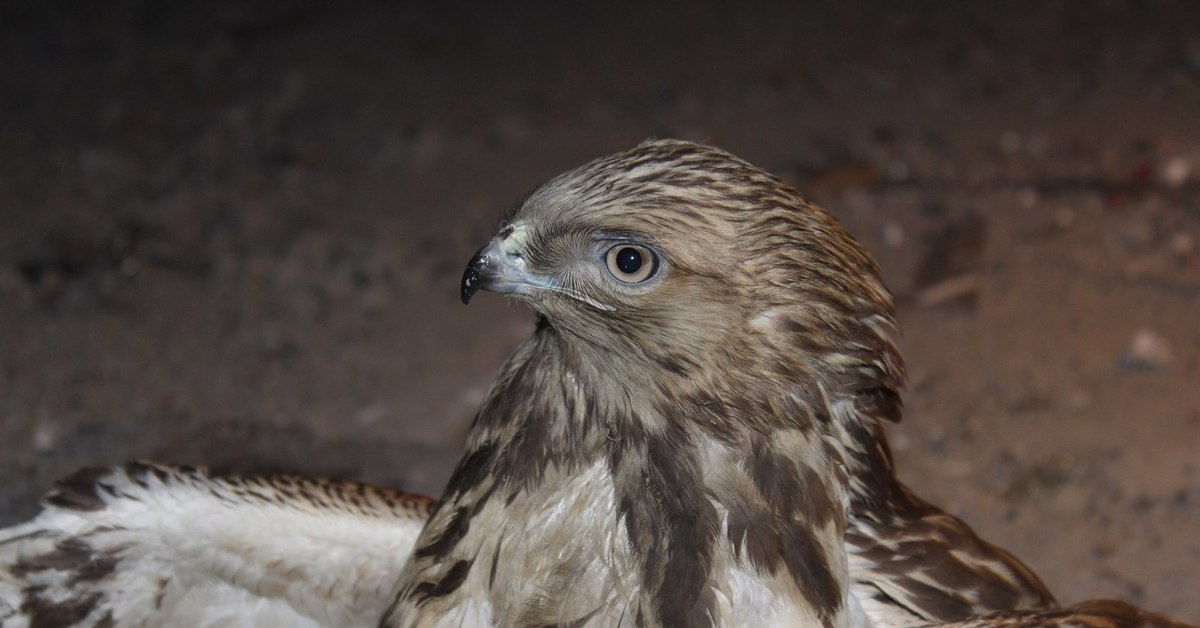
(927, 566)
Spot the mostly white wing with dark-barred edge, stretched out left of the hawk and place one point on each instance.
(155, 546)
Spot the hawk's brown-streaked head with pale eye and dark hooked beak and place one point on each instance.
(682, 260)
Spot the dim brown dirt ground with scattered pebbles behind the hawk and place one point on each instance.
(233, 234)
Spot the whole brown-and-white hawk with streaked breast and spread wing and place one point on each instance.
(693, 436)
